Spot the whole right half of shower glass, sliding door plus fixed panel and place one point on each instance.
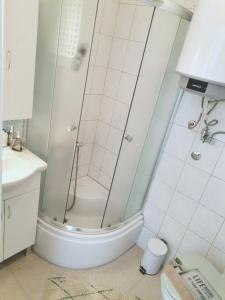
(126, 198)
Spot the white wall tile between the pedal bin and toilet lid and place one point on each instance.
(193, 244)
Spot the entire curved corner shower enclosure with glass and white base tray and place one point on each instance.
(105, 90)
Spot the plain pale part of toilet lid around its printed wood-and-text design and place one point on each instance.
(192, 262)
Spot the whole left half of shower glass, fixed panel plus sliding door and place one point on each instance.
(74, 20)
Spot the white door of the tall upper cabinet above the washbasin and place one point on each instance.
(21, 18)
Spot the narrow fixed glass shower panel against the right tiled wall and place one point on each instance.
(158, 127)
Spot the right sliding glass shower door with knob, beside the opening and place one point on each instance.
(159, 46)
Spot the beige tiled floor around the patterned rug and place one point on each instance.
(23, 278)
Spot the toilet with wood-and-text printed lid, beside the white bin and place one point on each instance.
(215, 280)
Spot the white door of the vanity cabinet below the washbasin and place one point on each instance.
(20, 222)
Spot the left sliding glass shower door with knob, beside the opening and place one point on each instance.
(74, 44)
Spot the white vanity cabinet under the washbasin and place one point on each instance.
(19, 216)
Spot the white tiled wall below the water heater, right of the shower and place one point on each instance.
(186, 201)
